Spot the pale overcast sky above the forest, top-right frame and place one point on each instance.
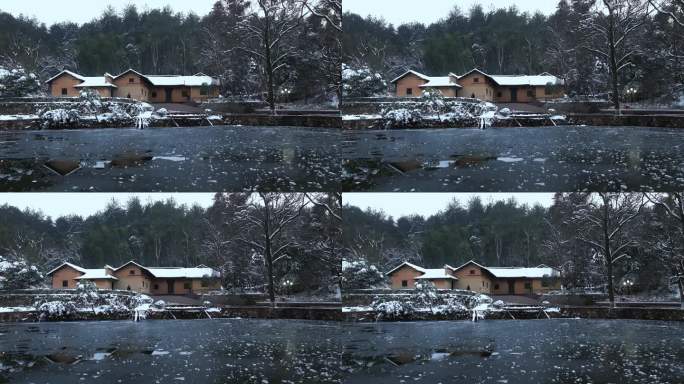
(428, 11)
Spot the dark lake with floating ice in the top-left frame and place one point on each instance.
(208, 159)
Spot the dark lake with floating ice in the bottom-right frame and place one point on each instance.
(516, 352)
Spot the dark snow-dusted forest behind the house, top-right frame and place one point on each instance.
(584, 42)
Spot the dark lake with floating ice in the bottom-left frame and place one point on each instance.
(193, 351)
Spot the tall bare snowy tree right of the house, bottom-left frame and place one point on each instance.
(266, 220)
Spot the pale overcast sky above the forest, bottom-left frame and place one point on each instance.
(84, 204)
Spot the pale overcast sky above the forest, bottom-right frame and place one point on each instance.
(427, 204)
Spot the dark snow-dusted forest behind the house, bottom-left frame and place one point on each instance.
(302, 246)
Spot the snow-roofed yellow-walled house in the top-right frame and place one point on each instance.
(479, 85)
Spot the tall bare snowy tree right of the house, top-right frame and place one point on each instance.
(609, 27)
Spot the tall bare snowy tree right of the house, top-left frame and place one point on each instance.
(268, 37)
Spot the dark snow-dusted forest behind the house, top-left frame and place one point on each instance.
(300, 61)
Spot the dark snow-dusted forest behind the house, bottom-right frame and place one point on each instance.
(636, 238)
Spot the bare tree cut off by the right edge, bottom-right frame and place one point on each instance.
(670, 246)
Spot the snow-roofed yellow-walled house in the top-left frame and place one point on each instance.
(134, 85)
